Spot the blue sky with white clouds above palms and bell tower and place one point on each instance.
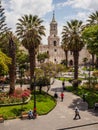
(65, 10)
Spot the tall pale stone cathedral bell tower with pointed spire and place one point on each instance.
(53, 41)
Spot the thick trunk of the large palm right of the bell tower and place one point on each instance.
(76, 58)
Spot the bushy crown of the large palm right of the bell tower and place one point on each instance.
(71, 35)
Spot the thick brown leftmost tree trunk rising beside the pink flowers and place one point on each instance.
(12, 67)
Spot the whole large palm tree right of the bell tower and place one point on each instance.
(75, 42)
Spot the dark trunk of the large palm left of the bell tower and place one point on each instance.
(32, 66)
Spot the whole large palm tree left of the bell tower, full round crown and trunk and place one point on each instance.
(30, 30)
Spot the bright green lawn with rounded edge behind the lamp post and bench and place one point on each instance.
(44, 104)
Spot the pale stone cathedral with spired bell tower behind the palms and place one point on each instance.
(53, 48)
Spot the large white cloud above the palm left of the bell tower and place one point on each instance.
(14, 9)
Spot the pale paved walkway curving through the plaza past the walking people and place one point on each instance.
(61, 118)
